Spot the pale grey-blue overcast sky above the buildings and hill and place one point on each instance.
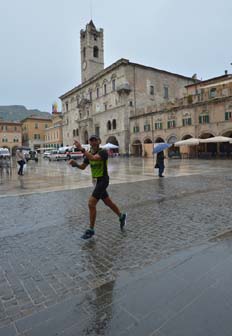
(40, 45)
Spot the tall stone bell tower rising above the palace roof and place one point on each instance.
(92, 51)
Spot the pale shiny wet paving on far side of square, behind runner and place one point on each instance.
(52, 176)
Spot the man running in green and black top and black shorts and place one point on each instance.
(97, 158)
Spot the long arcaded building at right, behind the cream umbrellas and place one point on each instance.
(204, 111)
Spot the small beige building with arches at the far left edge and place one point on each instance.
(10, 134)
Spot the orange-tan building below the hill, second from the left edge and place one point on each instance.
(33, 131)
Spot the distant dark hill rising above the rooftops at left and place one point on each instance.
(19, 112)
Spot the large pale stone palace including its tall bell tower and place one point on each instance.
(116, 102)
